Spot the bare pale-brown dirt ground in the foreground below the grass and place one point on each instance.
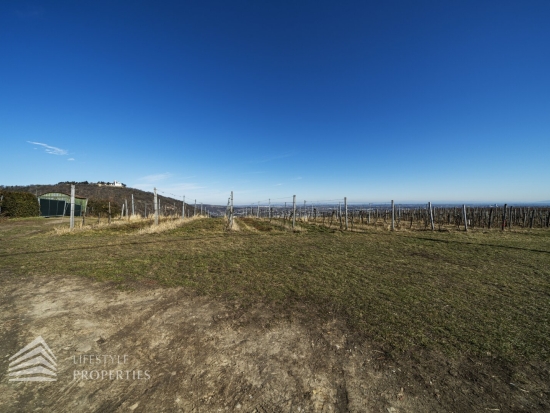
(196, 355)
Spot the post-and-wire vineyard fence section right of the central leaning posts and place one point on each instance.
(359, 215)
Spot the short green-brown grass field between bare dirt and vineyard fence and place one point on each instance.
(477, 293)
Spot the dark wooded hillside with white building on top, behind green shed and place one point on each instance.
(111, 193)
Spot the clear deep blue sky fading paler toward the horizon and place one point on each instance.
(406, 100)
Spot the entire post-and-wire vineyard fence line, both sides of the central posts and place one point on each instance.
(343, 214)
